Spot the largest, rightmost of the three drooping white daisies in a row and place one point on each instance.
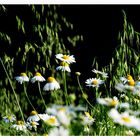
(52, 84)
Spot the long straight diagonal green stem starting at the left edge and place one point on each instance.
(12, 90)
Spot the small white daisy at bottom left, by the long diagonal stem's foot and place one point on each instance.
(19, 126)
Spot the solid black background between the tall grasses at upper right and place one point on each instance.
(99, 25)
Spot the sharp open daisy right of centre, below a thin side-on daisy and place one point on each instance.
(94, 82)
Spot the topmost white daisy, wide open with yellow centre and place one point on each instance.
(66, 58)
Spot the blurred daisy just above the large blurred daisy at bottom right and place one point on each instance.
(108, 101)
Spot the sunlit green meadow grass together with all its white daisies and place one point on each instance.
(104, 105)
